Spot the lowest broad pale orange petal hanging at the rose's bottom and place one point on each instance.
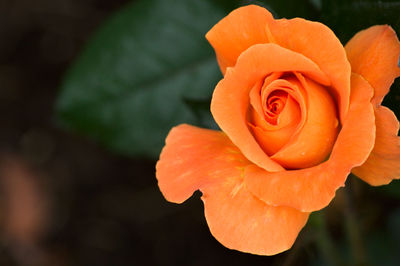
(240, 221)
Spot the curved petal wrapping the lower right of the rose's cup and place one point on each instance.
(313, 188)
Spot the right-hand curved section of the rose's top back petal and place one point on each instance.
(318, 43)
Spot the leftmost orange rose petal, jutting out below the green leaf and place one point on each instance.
(192, 159)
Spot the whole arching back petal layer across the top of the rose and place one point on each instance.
(252, 24)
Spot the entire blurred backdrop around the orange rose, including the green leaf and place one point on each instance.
(89, 90)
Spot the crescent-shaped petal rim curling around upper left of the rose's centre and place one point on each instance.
(230, 100)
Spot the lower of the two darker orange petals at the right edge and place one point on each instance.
(383, 164)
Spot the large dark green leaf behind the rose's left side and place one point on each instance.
(137, 74)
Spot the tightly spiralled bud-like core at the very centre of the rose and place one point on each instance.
(277, 112)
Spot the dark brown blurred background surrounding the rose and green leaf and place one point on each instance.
(65, 200)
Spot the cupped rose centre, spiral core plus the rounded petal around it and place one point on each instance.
(297, 123)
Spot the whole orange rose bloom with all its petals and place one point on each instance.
(298, 113)
